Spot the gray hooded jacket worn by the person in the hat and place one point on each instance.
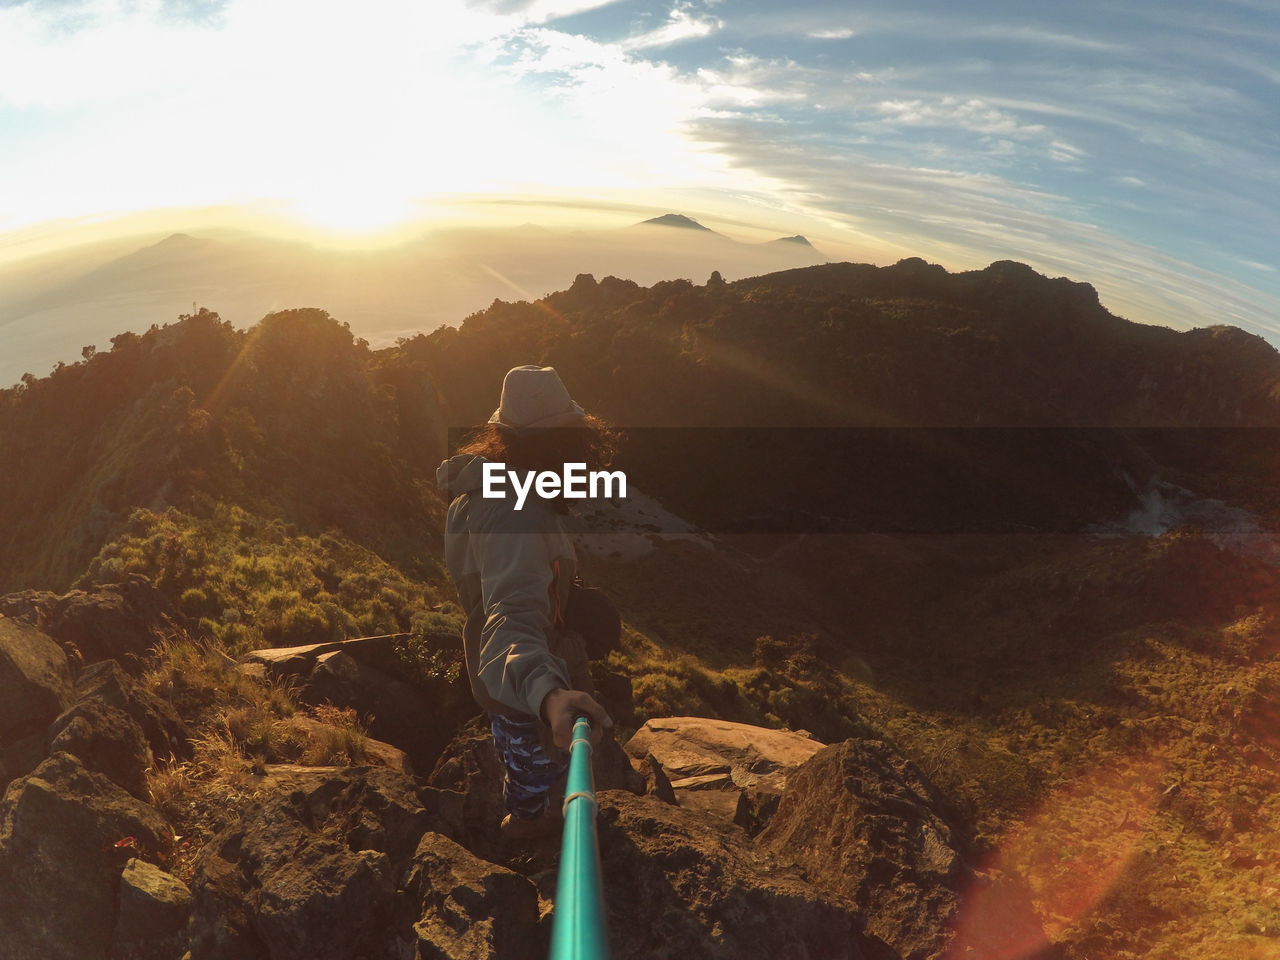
(514, 570)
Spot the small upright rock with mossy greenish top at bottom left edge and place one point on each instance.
(152, 920)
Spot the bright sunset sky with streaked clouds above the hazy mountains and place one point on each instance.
(1131, 145)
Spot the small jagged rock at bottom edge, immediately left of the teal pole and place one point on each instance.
(469, 909)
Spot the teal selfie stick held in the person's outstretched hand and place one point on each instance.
(578, 929)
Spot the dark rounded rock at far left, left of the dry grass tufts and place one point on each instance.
(107, 742)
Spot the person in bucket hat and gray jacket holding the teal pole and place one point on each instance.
(515, 572)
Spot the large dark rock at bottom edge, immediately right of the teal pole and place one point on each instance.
(678, 884)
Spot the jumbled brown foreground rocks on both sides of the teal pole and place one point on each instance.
(854, 858)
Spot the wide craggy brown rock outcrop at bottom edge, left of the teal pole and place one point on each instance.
(340, 863)
